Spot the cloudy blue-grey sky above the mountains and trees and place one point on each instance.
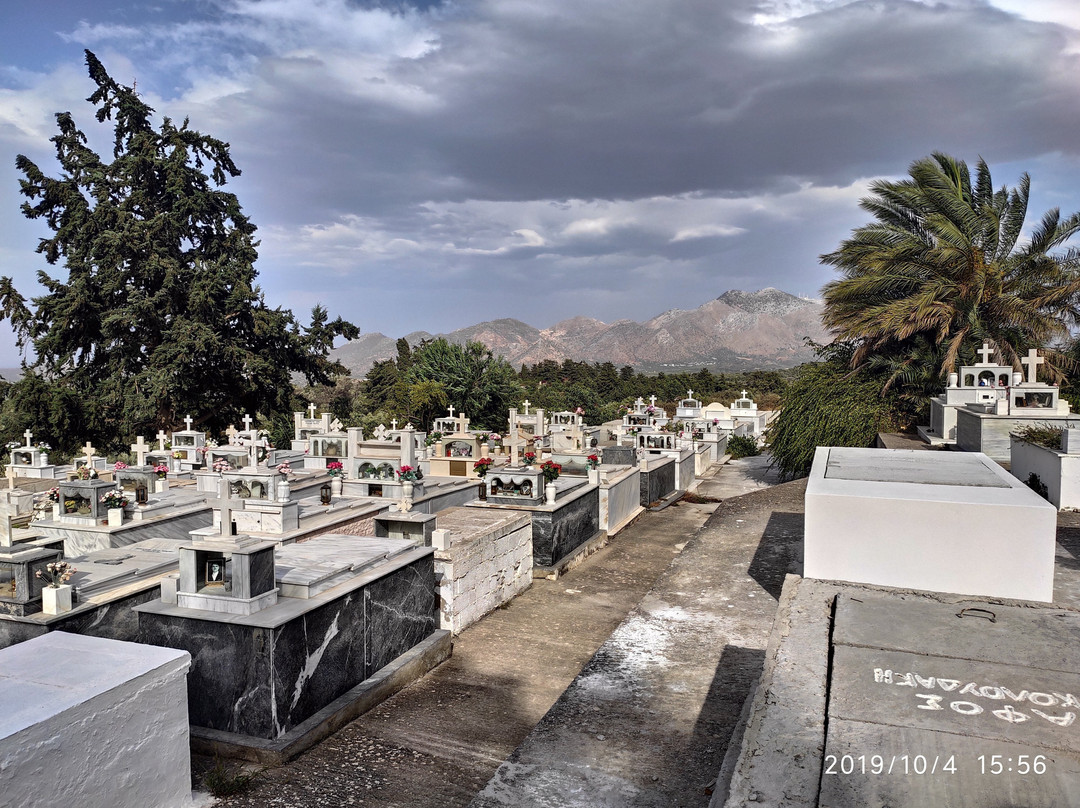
(416, 165)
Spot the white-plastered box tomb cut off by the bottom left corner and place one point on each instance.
(92, 722)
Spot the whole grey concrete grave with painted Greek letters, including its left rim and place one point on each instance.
(875, 698)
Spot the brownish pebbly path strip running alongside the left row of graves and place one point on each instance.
(440, 742)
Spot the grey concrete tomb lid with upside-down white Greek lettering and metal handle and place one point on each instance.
(956, 684)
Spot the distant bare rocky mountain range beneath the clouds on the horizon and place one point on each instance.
(739, 331)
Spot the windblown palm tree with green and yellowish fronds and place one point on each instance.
(942, 268)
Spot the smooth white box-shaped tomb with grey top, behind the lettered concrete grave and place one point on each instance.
(931, 521)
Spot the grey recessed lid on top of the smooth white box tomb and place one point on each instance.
(911, 466)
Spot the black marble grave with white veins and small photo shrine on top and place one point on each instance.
(292, 635)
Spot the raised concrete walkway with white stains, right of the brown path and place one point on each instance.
(649, 720)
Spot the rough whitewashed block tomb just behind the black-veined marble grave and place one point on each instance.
(481, 563)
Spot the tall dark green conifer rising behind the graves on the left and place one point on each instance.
(159, 315)
